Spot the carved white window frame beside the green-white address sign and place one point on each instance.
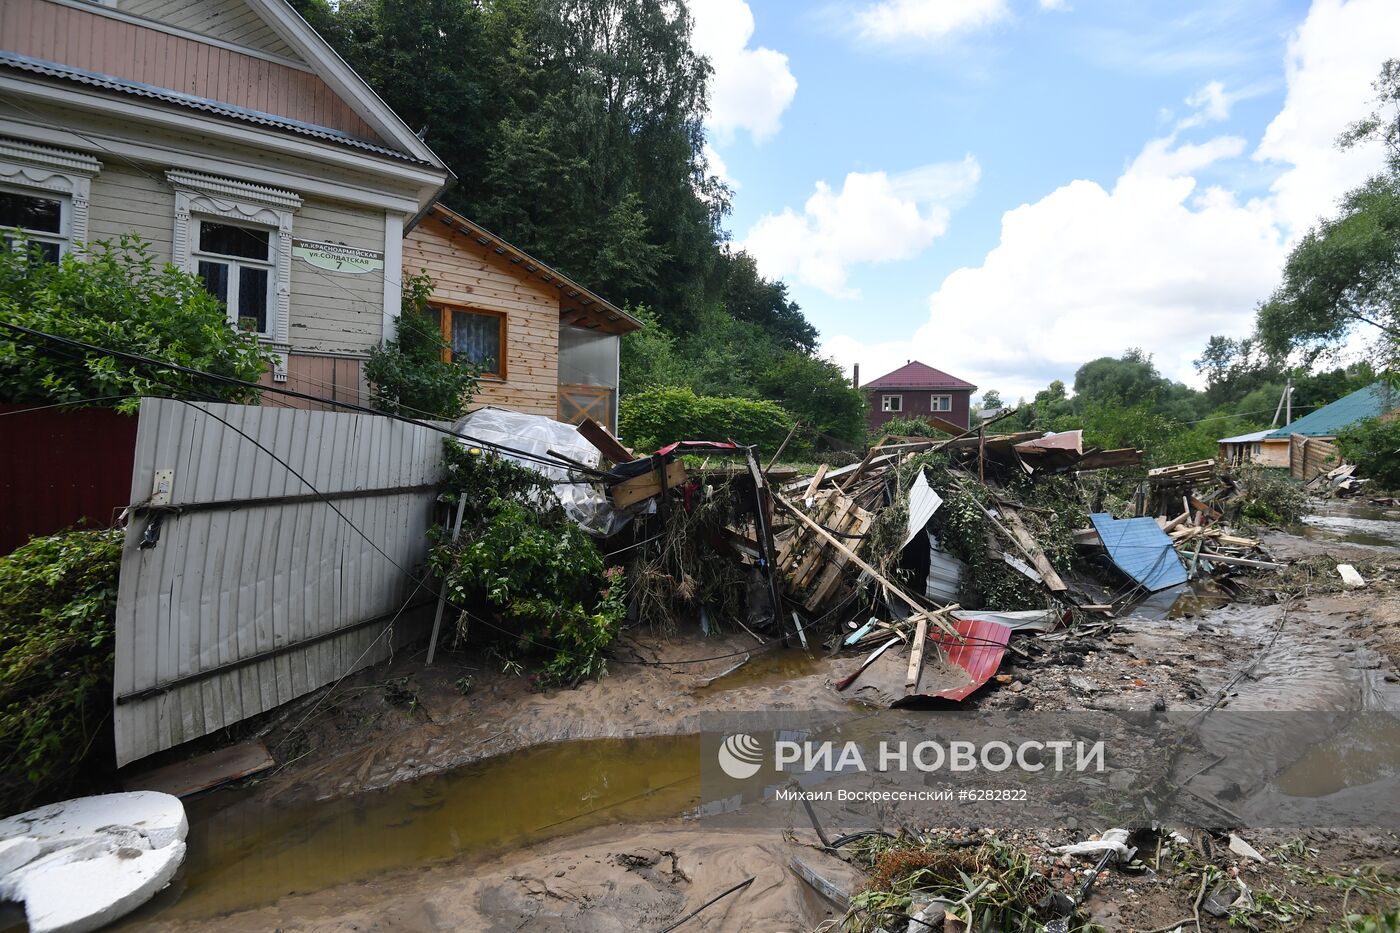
(201, 197)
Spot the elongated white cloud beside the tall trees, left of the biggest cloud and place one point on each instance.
(874, 218)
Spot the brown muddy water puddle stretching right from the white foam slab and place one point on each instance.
(250, 854)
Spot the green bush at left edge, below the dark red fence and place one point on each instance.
(57, 602)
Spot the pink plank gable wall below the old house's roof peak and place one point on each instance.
(93, 43)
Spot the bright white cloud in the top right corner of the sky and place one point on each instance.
(1332, 61)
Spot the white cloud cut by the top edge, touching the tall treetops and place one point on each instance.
(751, 88)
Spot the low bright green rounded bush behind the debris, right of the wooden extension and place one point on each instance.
(661, 415)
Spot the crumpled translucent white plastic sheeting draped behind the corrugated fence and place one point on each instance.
(584, 501)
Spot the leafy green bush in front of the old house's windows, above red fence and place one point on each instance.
(115, 298)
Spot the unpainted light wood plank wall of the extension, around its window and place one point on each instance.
(470, 275)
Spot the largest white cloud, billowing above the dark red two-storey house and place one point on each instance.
(1088, 272)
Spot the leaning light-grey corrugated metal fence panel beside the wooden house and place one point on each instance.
(258, 590)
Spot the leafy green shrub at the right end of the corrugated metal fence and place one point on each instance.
(526, 569)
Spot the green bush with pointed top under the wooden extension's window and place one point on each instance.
(409, 376)
